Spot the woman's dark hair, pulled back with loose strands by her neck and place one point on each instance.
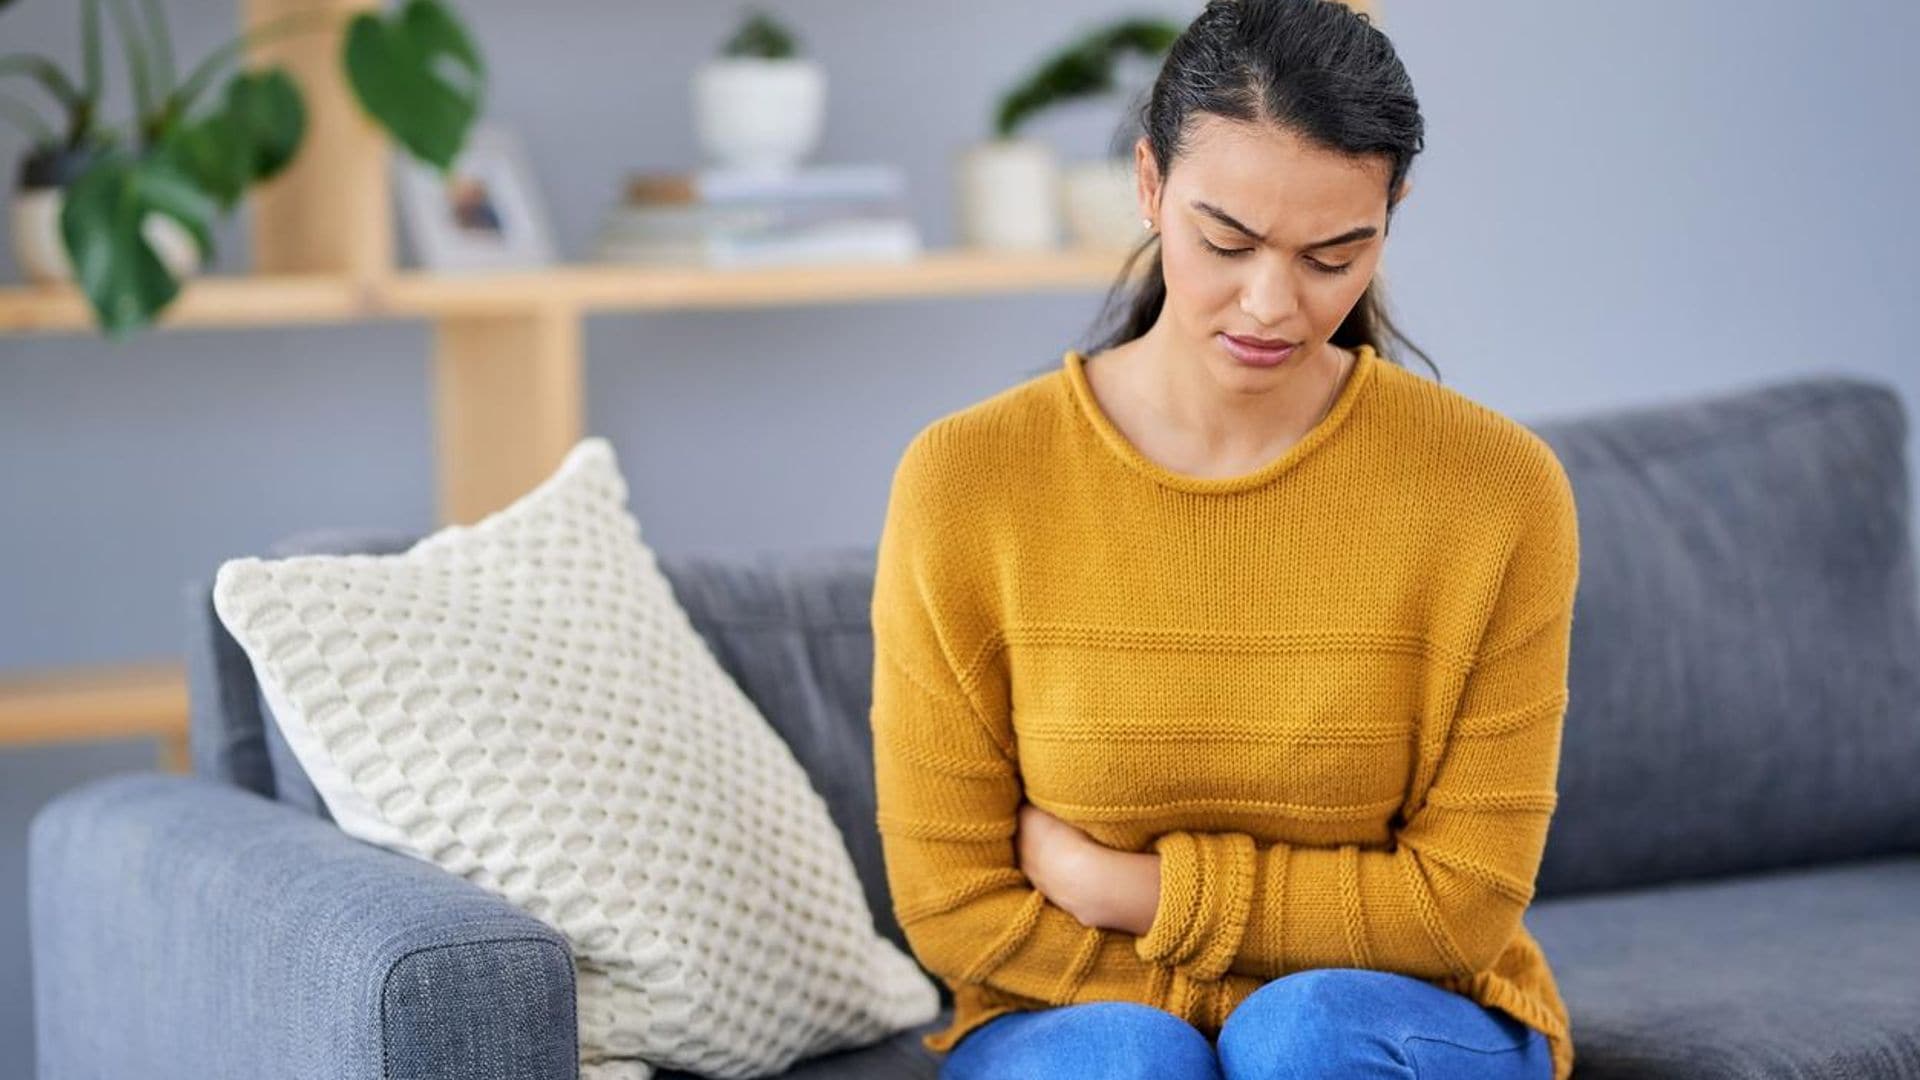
(1314, 68)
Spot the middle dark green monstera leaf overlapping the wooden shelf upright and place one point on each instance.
(251, 137)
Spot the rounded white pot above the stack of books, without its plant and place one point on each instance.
(759, 114)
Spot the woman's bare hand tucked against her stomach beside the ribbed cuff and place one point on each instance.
(1090, 881)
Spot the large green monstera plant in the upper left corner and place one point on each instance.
(189, 159)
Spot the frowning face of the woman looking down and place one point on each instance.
(1268, 203)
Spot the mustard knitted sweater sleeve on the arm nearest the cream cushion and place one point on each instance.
(946, 779)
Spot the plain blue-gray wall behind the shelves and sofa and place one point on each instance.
(1620, 203)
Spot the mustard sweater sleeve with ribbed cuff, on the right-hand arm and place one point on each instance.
(1451, 891)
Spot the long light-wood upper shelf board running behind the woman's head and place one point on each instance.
(274, 301)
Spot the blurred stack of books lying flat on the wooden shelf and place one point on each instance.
(757, 218)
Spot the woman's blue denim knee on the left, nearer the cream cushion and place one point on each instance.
(1124, 1041)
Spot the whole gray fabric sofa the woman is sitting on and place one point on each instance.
(1731, 885)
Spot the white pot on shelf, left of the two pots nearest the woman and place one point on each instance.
(1009, 195)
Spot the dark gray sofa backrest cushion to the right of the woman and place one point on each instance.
(1746, 649)
